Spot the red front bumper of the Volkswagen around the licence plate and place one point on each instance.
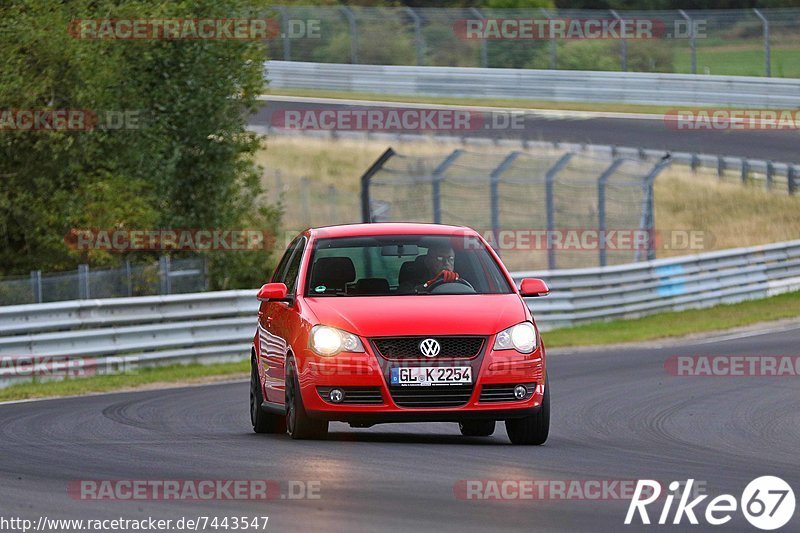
(370, 370)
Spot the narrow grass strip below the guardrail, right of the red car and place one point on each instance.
(677, 324)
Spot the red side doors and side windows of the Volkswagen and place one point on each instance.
(277, 320)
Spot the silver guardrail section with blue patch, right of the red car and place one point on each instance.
(639, 289)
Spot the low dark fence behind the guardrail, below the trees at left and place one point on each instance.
(167, 276)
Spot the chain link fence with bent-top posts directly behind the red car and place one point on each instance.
(552, 209)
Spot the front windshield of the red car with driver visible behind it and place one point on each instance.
(403, 265)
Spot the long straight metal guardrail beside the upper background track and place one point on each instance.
(544, 85)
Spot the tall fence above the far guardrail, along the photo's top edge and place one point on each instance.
(747, 42)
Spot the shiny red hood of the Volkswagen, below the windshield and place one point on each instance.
(383, 316)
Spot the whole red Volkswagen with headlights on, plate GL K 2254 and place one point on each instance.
(372, 323)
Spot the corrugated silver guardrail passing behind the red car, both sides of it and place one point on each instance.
(218, 326)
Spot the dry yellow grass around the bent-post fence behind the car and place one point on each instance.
(727, 215)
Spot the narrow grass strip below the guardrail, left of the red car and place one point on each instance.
(143, 377)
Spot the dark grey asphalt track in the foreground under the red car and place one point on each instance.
(617, 415)
